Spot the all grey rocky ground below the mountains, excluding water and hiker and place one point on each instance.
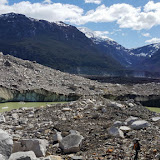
(101, 121)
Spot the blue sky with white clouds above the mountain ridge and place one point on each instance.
(131, 23)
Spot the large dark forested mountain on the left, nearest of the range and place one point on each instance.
(56, 45)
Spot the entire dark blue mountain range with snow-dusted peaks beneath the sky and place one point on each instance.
(66, 48)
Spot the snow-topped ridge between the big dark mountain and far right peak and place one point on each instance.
(110, 47)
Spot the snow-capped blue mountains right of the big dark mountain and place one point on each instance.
(140, 59)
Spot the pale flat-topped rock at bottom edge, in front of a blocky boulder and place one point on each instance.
(23, 156)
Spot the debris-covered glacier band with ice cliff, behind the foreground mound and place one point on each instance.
(22, 80)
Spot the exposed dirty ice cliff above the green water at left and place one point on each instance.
(37, 95)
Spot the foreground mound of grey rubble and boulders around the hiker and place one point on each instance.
(90, 128)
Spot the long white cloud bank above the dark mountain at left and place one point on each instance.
(50, 12)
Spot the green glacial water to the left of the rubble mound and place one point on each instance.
(15, 105)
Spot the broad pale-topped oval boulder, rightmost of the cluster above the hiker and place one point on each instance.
(140, 124)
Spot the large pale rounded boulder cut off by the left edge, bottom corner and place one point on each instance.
(6, 144)
